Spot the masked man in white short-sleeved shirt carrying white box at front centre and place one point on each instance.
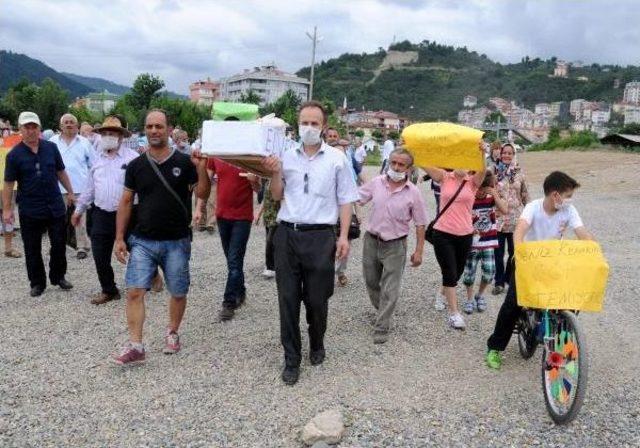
(316, 185)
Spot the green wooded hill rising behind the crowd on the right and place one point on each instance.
(433, 87)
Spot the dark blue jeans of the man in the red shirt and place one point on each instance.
(234, 235)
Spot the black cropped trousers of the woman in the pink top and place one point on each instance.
(451, 253)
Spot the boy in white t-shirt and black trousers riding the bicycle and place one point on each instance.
(548, 218)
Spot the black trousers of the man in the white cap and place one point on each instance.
(32, 230)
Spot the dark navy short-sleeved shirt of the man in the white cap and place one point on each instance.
(37, 177)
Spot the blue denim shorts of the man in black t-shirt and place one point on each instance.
(171, 255)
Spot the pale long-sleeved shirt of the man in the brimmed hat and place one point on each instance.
(106, 180)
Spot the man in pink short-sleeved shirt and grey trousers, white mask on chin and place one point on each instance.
(395, 203)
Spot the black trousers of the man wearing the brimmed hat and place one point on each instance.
(103, 236)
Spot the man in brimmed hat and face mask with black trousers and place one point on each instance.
(104, 189)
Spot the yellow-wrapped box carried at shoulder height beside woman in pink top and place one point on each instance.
(444, 145)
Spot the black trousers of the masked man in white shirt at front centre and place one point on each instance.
(305, 269)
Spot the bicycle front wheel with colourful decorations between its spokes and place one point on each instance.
(564, 367)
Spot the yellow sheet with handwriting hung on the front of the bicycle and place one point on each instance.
(561, 275)
